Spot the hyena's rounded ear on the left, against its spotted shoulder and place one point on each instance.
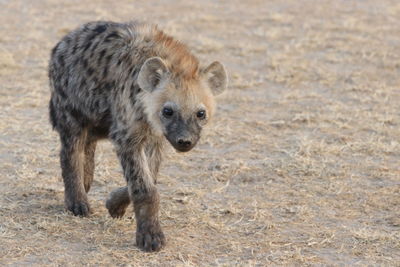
(153, 74)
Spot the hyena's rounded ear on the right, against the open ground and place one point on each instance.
(216, 77)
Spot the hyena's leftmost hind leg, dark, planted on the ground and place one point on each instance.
(72, 158)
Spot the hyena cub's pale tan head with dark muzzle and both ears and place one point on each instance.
(179, 106)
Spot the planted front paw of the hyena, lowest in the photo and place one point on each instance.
(149, 236)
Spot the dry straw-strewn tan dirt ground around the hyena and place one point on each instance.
(299, 167)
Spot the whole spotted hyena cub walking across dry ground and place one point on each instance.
(136, 85)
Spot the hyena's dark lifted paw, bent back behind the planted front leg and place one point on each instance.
(118, 202)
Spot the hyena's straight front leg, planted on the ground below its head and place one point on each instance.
(144, 195)
